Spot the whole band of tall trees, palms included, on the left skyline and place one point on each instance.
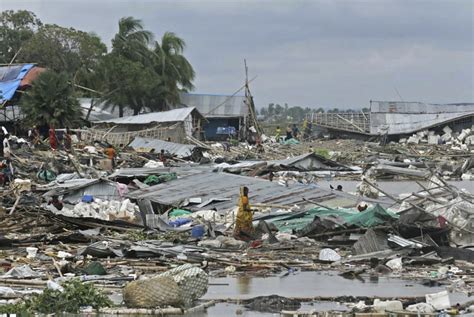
(138, 73)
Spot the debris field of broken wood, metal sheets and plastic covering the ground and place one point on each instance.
(154, 228)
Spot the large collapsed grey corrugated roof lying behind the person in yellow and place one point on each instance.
(222, 185)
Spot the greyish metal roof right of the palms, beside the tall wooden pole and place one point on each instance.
(215, 105)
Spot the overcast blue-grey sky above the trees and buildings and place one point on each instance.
(307, 53)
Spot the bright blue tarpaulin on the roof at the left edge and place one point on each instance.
(10, 78)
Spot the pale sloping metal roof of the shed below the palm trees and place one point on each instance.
(174, 115)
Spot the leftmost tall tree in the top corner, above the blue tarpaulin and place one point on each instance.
(16, 28)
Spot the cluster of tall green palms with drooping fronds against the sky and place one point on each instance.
(143, 75)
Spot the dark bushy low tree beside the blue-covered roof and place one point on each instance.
(51, 101)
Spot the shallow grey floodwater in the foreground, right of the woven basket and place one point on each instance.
(310, 285)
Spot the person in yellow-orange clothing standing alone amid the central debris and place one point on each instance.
(244, 229)
